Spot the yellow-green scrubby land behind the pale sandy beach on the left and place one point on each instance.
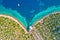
(10, 30)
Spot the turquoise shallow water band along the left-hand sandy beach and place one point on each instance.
(14, 14)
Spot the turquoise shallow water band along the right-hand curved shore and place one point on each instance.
(40, 15)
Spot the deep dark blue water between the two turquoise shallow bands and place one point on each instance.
(29, 8)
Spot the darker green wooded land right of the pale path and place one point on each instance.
(50, 28)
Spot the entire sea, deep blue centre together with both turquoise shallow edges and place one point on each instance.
(28, 12)
